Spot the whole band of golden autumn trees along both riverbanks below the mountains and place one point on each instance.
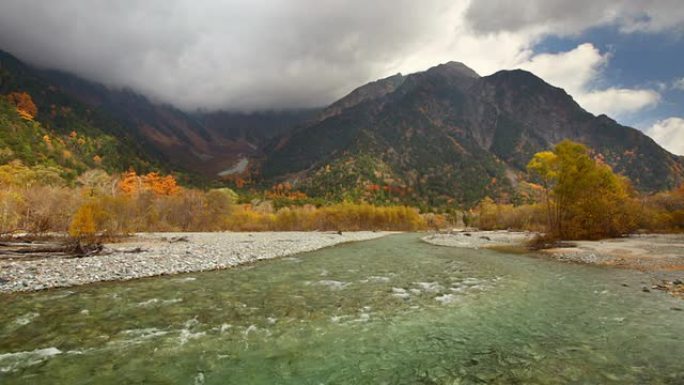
(575, 196)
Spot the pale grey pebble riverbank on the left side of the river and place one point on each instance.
(148, 255)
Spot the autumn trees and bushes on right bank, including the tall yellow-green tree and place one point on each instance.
(580, 197)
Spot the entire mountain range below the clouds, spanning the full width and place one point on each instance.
(438, 137)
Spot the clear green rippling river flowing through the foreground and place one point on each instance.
(388, 311)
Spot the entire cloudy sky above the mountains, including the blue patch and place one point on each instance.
(623, 58)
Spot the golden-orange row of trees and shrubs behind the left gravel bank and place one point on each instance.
(37, 200)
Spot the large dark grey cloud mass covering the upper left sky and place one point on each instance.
(214, 54)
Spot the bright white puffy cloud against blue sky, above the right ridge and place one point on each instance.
(578, 71)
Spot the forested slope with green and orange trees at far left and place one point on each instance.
(64, 132)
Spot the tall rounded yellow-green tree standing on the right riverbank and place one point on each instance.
(584, 198)
